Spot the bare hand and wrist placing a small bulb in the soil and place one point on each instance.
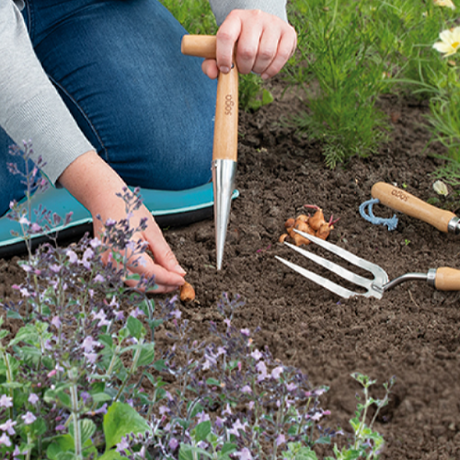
(96, 185)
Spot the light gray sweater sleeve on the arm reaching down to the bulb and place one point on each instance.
(30, 106)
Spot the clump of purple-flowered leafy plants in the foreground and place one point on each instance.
(83, 376)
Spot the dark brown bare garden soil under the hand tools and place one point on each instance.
(412, 333)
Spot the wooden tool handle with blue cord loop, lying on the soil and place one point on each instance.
(399, 200)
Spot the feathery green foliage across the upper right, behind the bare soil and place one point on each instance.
(352, 52)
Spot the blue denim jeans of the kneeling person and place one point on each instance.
(147, 109)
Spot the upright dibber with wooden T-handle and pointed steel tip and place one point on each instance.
(225, 147)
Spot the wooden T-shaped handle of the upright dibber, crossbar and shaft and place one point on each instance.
(226, 123)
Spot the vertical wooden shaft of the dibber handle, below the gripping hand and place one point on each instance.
(226, 123)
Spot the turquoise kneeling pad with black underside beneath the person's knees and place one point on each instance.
(170, 208)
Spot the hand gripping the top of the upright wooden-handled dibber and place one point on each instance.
(262, 43)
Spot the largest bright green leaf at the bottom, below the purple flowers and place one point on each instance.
(120, 420)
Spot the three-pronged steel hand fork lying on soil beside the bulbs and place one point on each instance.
(443, 278)
